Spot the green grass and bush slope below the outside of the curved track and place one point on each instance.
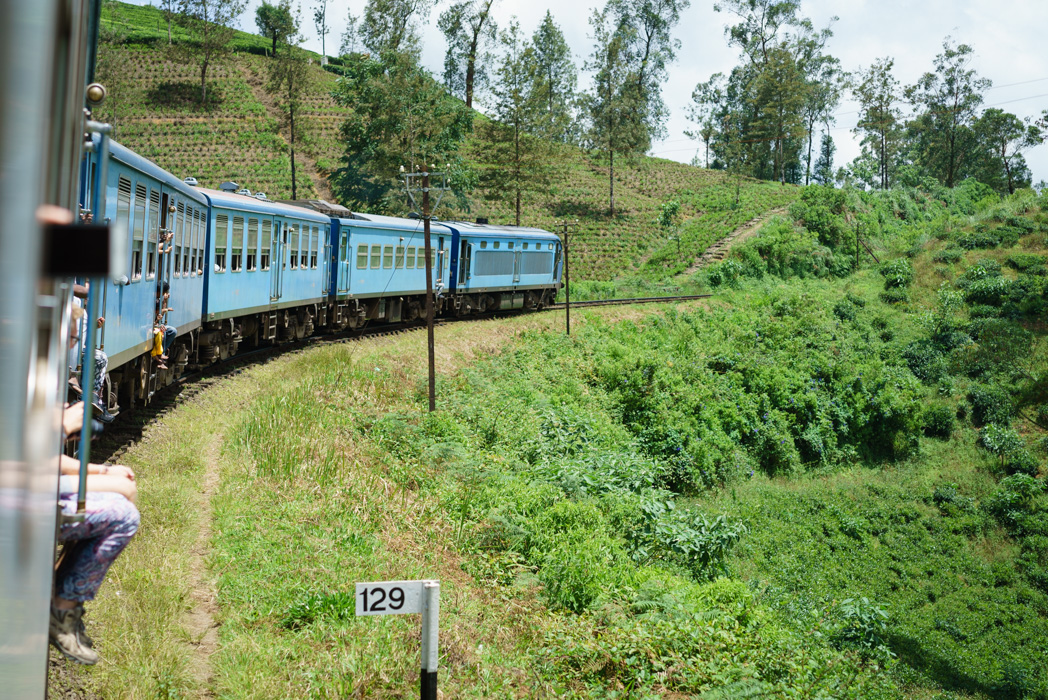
(823, 484)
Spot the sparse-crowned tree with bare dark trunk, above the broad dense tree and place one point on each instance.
(469, 29)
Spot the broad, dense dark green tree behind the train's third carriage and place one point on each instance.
(399, 117)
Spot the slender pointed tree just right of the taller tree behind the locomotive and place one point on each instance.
(555, 81)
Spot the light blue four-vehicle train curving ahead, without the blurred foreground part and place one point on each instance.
(244, 271)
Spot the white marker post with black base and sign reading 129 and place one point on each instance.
(403, 598)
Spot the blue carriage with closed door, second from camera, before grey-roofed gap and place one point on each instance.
(268, 267)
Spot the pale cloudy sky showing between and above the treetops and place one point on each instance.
(1008, 37)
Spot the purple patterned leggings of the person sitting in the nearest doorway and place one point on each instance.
(94, 544)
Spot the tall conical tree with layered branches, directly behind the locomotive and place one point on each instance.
(515, 162)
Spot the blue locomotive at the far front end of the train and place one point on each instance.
(503, 268)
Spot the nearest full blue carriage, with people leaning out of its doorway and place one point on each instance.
(147, 203)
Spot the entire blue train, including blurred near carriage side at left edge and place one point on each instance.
(239, 270)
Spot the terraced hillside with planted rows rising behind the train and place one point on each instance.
(238, 136)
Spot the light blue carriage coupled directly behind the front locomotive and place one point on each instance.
(380, 269)
